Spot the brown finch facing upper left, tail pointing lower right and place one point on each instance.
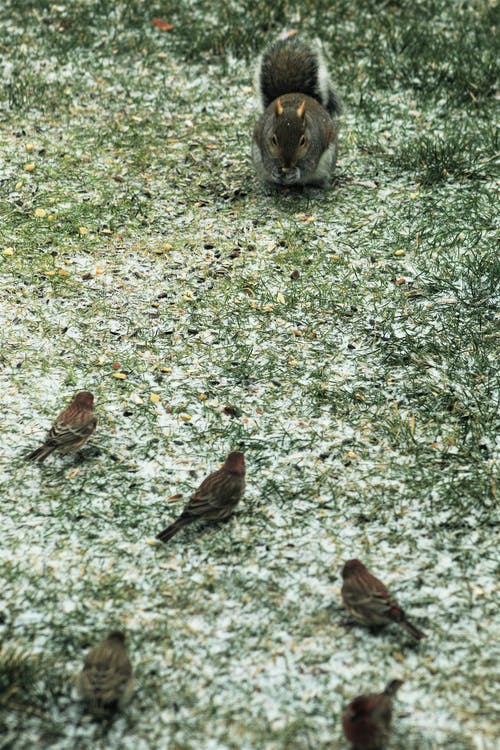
(368, 600)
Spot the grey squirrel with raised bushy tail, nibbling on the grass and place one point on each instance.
(295, 139)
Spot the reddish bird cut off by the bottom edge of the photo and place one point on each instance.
(367, 719)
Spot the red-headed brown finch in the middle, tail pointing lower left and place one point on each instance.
(215, 498)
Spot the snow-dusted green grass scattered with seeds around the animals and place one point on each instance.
(346, 340)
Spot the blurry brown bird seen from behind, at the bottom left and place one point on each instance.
(105, 682)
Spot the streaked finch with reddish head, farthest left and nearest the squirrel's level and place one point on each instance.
(71, 430)
